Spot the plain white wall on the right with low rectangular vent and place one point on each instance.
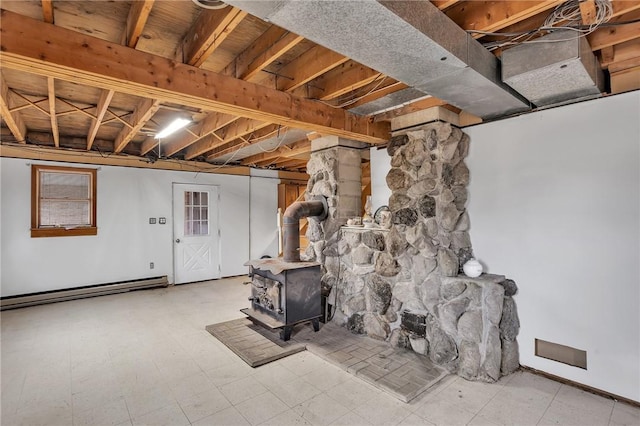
(554, 202)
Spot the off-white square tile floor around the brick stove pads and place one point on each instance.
(144, 358)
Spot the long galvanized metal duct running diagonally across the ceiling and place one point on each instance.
(410, 41)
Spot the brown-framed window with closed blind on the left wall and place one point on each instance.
(63, 201)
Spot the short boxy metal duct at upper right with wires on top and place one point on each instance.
(556, 68)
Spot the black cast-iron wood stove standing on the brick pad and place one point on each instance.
(284, 294)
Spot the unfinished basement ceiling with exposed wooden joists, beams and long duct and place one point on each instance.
(256, 79)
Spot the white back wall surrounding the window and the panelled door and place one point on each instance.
(126, 242)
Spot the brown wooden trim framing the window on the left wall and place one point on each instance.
(36, 230)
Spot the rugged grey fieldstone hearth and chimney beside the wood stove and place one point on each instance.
(405, 285)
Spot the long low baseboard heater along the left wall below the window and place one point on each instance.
(32, 299)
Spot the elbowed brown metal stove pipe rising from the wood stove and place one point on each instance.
(291, 222)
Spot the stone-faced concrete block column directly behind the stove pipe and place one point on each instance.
(334, 172)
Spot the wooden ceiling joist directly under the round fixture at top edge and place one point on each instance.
(207, 33)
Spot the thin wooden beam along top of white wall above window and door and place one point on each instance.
(83, 157)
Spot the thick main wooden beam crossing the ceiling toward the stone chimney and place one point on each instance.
(35, 47)
